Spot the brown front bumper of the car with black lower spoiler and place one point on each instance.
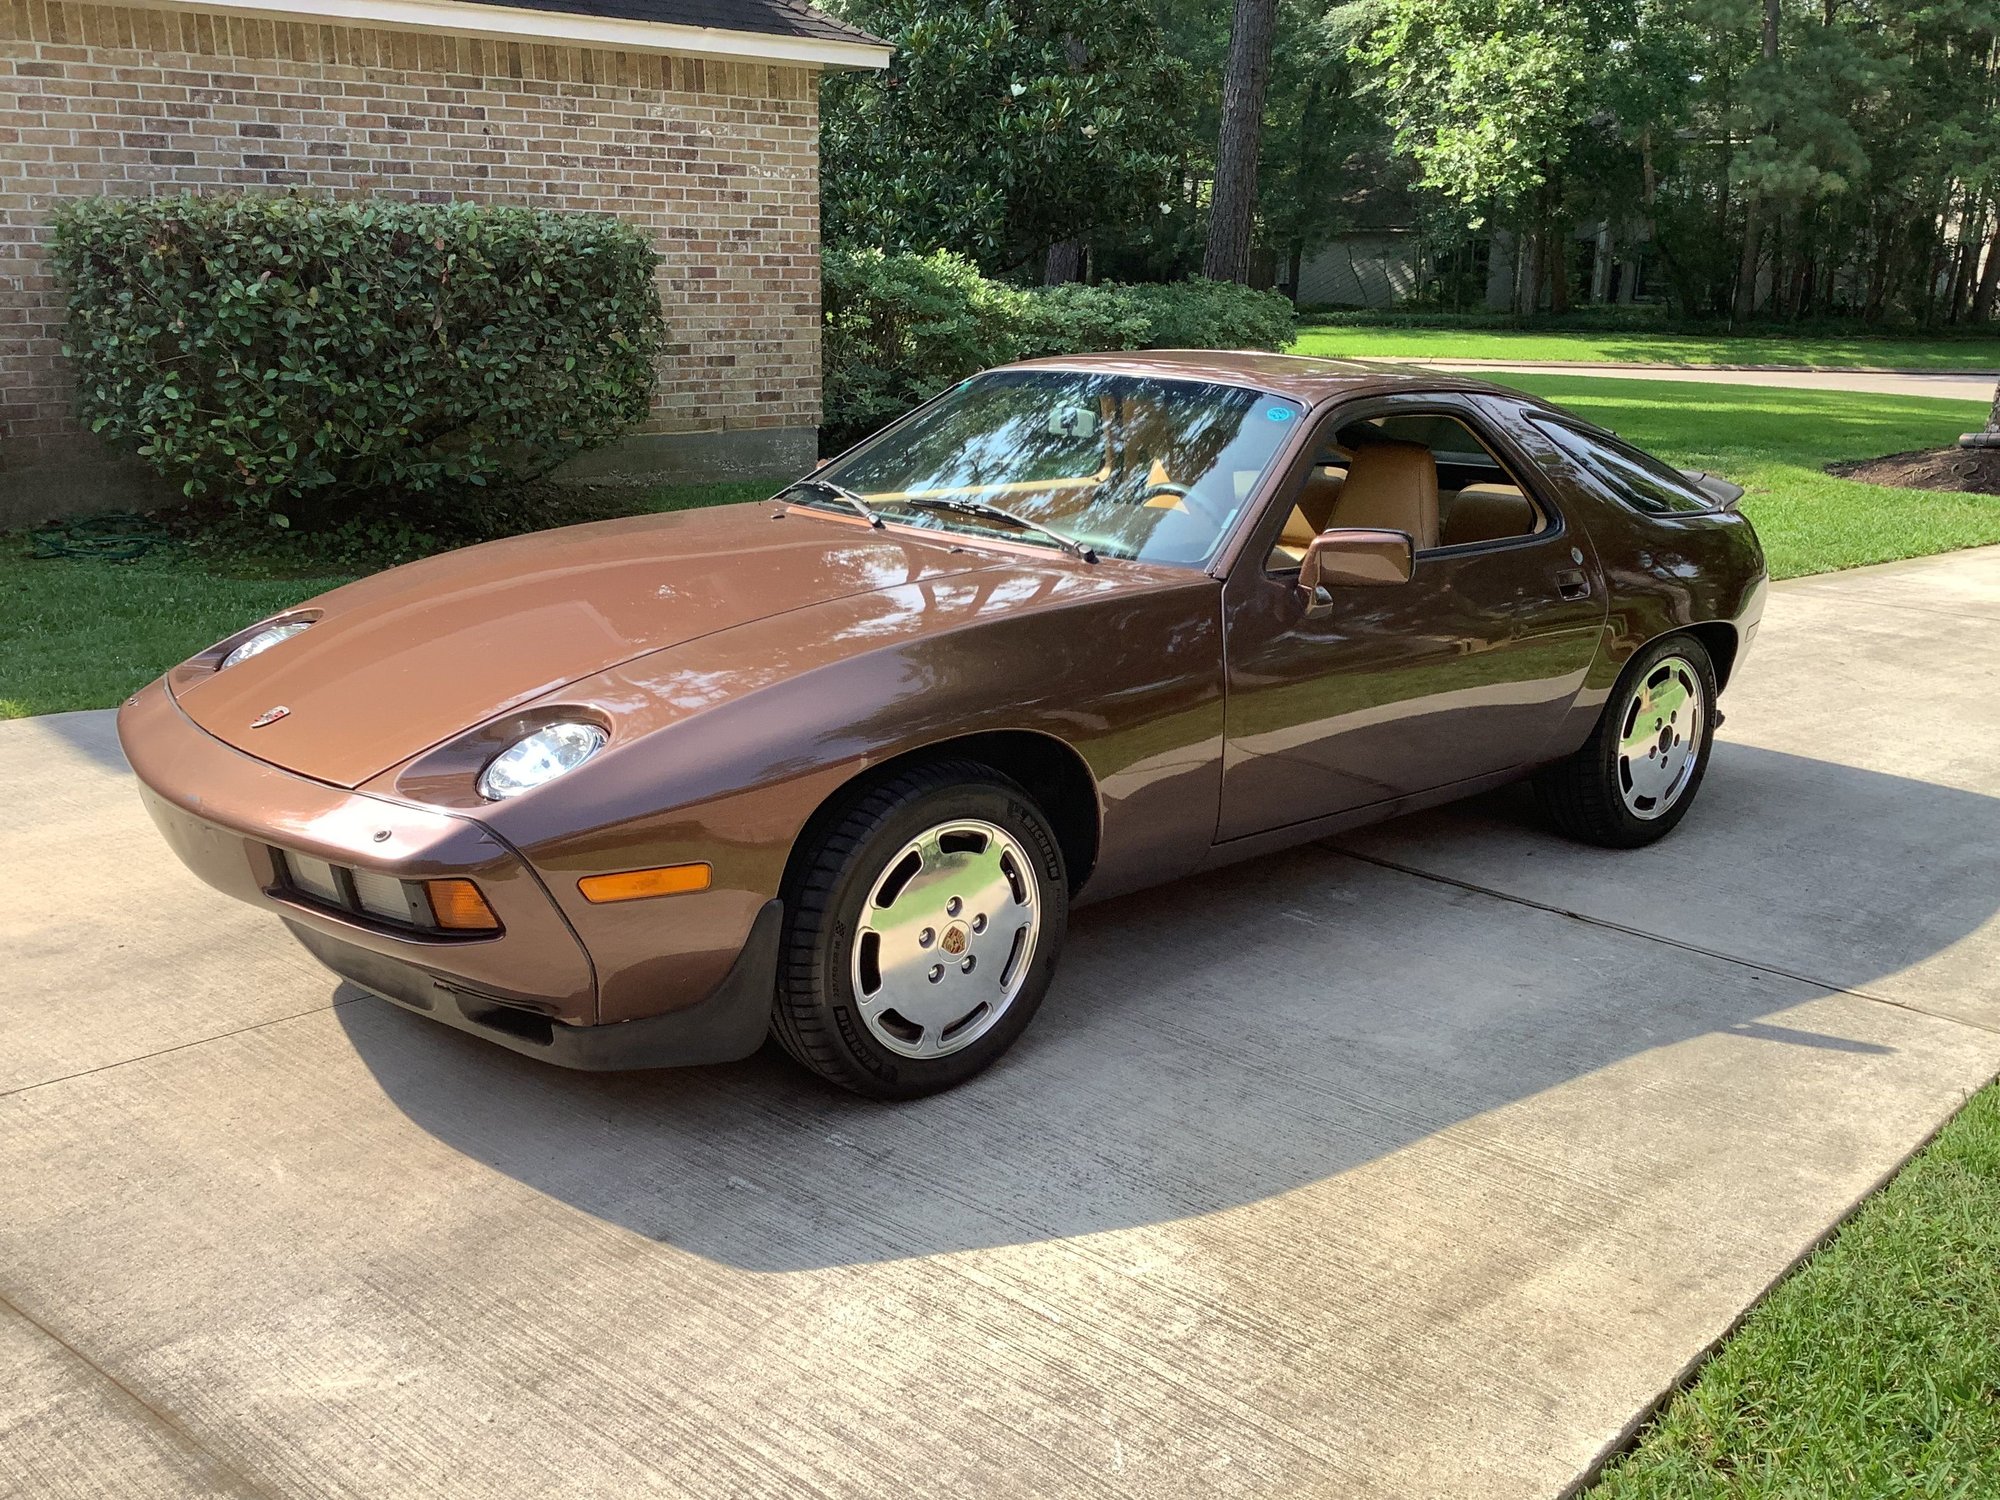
(531, 987)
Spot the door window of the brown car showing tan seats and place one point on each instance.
(1363, 475)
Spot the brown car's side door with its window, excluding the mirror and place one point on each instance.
(1403, 689)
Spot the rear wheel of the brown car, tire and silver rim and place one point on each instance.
(1645, 761)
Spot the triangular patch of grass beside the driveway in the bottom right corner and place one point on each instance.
(1875, 1371)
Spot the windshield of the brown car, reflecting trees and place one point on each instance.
(1127, 467)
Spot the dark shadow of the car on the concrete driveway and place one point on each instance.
(1243, 1035)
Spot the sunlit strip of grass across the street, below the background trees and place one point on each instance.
(1647, 349)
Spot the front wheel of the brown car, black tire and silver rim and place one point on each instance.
(921, 933)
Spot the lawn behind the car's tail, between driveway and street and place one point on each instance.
(1777, 443)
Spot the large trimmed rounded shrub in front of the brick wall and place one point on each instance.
(287, 353)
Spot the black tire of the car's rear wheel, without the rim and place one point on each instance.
(1585, 795)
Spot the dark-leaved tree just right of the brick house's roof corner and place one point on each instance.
(1003, 129)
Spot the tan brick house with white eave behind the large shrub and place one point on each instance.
(697, 119)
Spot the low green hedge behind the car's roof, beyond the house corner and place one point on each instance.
(901, 329)
